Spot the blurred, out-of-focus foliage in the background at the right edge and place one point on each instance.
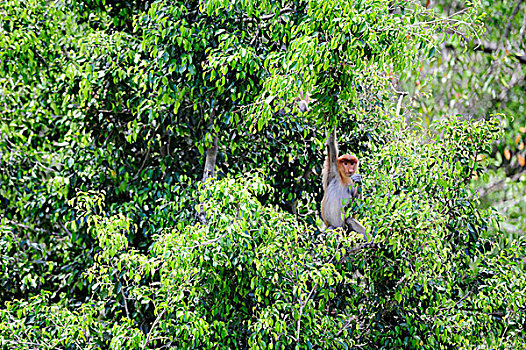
(477, 78)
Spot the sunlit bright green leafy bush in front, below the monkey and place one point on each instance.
(255, 277)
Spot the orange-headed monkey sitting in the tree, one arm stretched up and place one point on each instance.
(340, 183)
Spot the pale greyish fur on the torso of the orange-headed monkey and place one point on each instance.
(336, 196)
